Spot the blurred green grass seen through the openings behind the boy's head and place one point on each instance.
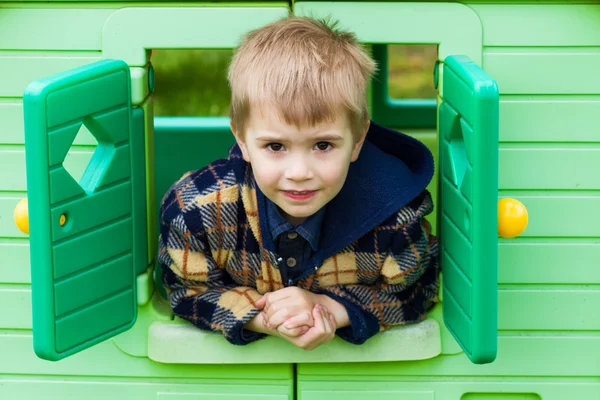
(194, 83)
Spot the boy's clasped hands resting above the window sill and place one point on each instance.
(303, 318)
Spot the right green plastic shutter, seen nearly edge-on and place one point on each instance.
(468, 122)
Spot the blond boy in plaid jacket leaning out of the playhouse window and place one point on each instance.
(314, 225)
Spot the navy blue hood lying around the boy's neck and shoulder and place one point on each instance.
(391, 171)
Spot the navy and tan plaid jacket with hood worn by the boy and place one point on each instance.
(218, 259)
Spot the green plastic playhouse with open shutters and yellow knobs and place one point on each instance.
(83, 314)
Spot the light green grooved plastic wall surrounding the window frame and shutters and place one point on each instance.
(544, 58)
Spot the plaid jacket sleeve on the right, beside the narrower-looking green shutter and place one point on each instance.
(405, 289)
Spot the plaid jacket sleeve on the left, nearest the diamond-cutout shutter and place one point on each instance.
(199, 290)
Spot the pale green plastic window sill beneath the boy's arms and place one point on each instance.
(179, 342)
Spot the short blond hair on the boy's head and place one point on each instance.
(306, 70)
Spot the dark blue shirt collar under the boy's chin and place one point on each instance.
(310, 229)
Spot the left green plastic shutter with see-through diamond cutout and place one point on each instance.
(83, 271)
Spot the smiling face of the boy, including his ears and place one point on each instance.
(299, 169)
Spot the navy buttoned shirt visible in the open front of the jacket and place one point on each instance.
(294, 244)
